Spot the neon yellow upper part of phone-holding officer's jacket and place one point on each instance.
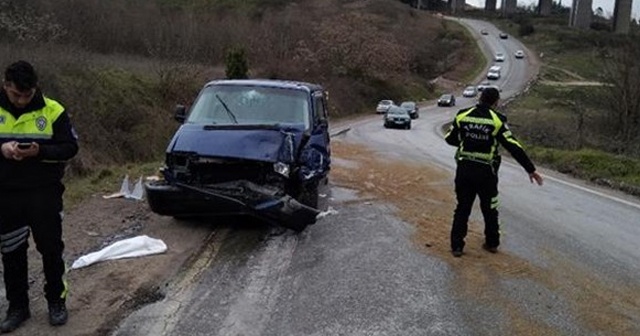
(34, 125)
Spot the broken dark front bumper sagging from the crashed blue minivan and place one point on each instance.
(232, 198)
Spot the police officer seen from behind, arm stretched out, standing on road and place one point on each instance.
(477, 131)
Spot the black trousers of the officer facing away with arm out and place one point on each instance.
(473, 178)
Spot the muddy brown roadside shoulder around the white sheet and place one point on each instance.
(102, 294)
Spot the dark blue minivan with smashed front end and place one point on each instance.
(249, 147)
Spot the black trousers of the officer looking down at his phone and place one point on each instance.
(37, 211)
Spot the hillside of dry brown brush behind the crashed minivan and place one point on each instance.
(119, 66)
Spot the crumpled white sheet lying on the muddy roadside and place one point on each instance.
(127, 248)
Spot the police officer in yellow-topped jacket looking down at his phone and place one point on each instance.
(36, 139)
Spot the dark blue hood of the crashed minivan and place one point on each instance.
(259, 143)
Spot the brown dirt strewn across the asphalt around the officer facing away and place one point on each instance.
(424, 197)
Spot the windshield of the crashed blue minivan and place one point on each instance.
(250, 105)
